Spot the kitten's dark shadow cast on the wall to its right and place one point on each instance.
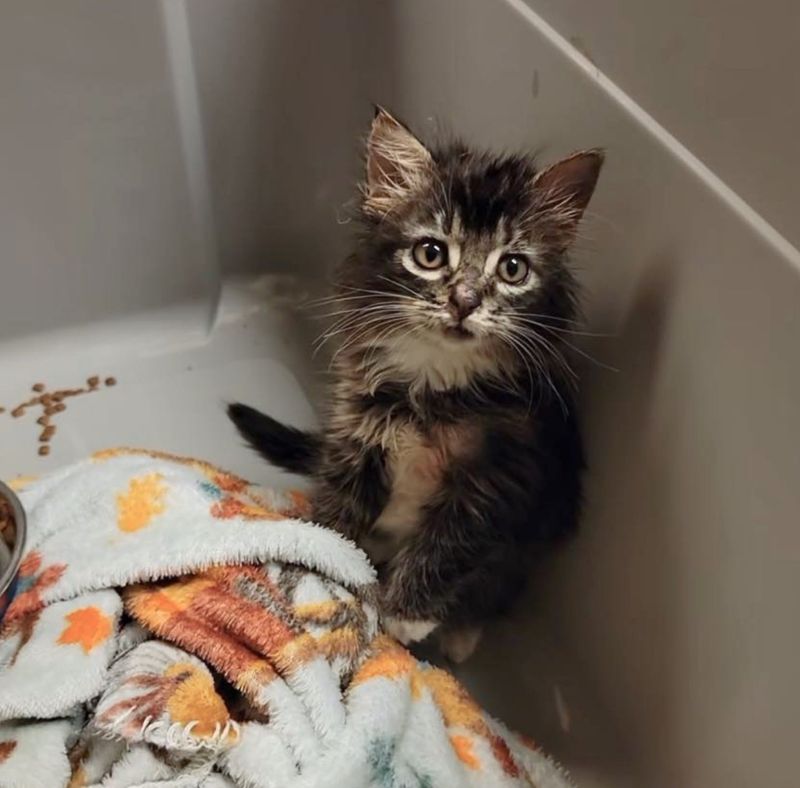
(620, 574)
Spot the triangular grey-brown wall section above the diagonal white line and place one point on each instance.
(720, 75)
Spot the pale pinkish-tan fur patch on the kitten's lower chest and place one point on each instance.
(416, 462)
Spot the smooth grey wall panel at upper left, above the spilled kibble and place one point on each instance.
(95, 215)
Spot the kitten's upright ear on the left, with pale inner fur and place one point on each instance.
(397, 164)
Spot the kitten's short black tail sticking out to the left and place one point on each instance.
(293, 450)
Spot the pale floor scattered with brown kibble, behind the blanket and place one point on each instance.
(174, 376)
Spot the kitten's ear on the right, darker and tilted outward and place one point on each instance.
(563, 191)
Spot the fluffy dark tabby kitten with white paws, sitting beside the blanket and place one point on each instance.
(450, 444)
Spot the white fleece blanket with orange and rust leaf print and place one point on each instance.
(173, 626)
